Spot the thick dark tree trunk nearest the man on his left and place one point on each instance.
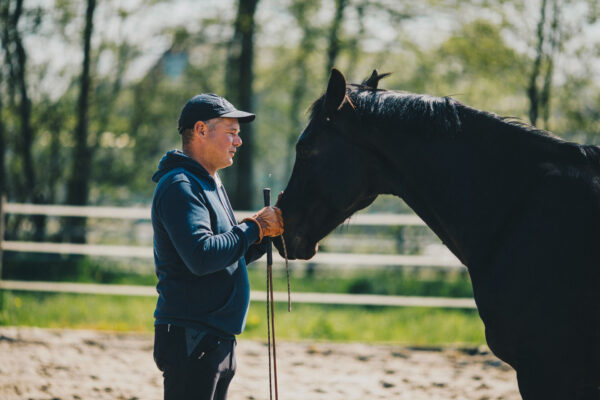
(78, 186)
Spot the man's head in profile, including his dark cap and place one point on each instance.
(209, 126)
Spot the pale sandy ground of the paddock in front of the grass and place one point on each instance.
(77, 364)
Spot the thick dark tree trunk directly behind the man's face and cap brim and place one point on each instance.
(238, 83)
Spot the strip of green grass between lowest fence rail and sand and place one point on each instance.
(411, 325)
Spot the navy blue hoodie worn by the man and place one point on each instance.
(200, 252)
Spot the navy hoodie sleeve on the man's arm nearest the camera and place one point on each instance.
(186, 219)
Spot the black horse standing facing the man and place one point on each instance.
(518, 206)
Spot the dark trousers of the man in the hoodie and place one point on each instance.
(205, 374)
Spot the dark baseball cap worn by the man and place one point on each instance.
(206, 106)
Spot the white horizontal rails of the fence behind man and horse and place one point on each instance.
(143, 213)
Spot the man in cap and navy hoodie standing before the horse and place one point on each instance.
(201, 253)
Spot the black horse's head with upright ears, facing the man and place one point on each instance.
(333, 175)
